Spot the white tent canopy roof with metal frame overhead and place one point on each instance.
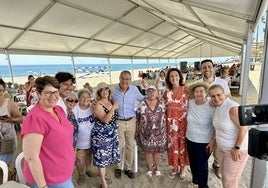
(127, 28)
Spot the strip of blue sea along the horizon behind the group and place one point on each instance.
(49, 69)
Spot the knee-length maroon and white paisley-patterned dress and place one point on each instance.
(152, 127)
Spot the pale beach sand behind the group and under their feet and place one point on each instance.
(141, 180)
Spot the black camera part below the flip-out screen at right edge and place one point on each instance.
(258, 143)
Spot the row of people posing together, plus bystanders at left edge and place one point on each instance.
(189, 122)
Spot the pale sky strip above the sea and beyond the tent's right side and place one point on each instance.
(37, 59)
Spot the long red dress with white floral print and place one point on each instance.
(176, 127)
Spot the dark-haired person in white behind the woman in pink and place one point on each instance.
(66, 81)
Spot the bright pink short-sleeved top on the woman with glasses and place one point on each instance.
(56, 153)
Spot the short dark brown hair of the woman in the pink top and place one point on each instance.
(41, 82)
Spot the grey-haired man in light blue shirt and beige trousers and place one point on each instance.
(126, 95)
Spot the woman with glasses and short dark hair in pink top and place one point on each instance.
(47, 140)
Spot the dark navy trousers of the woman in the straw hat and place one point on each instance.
(198, 158)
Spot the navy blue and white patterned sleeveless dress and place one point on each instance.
(105, 143)
